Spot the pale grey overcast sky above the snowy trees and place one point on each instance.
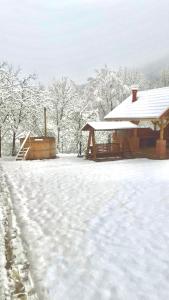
(56, 38)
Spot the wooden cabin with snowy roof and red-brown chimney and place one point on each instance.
(150, 107)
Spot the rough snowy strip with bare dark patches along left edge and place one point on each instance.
(15, 278)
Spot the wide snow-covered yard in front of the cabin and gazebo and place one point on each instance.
(94, 231)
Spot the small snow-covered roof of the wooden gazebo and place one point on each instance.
(109, 125)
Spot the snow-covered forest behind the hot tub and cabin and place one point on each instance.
(69, 104)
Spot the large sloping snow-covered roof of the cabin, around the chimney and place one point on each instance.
(150, 104)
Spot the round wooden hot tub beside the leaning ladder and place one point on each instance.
(40, 147)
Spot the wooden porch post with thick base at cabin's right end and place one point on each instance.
(161, 149)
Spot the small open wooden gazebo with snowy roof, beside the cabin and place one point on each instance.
(114, 150)
